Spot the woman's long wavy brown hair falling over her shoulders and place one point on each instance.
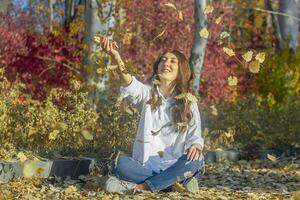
(183, 84)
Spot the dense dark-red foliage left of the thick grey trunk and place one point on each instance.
(39, 58)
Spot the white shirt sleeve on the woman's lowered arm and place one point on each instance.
(194, 135)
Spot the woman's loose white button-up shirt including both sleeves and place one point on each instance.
(158, 144)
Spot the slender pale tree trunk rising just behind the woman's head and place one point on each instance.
(199, 44)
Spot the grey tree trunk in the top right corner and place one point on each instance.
(289, 27)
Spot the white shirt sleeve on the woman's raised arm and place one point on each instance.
(136, 91)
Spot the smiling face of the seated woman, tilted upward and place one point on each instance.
(168, 67)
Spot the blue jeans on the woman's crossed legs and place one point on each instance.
(131, 170)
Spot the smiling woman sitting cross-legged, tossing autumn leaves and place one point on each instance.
(168, 144)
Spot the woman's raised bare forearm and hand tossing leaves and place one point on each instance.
(108, 47)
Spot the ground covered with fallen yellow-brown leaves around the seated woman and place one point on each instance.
(257, 179)
